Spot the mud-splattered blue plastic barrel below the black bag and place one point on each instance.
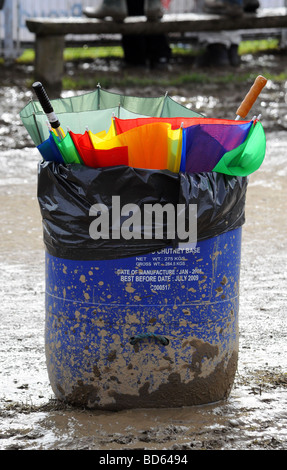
(156, 330)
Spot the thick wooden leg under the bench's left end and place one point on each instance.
(49, 62)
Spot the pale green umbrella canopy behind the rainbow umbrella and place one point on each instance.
(95, 110)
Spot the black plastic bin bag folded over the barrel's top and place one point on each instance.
(67, 192)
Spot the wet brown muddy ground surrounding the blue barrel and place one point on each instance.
(254, 417)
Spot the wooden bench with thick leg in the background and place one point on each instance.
(51, 32)
